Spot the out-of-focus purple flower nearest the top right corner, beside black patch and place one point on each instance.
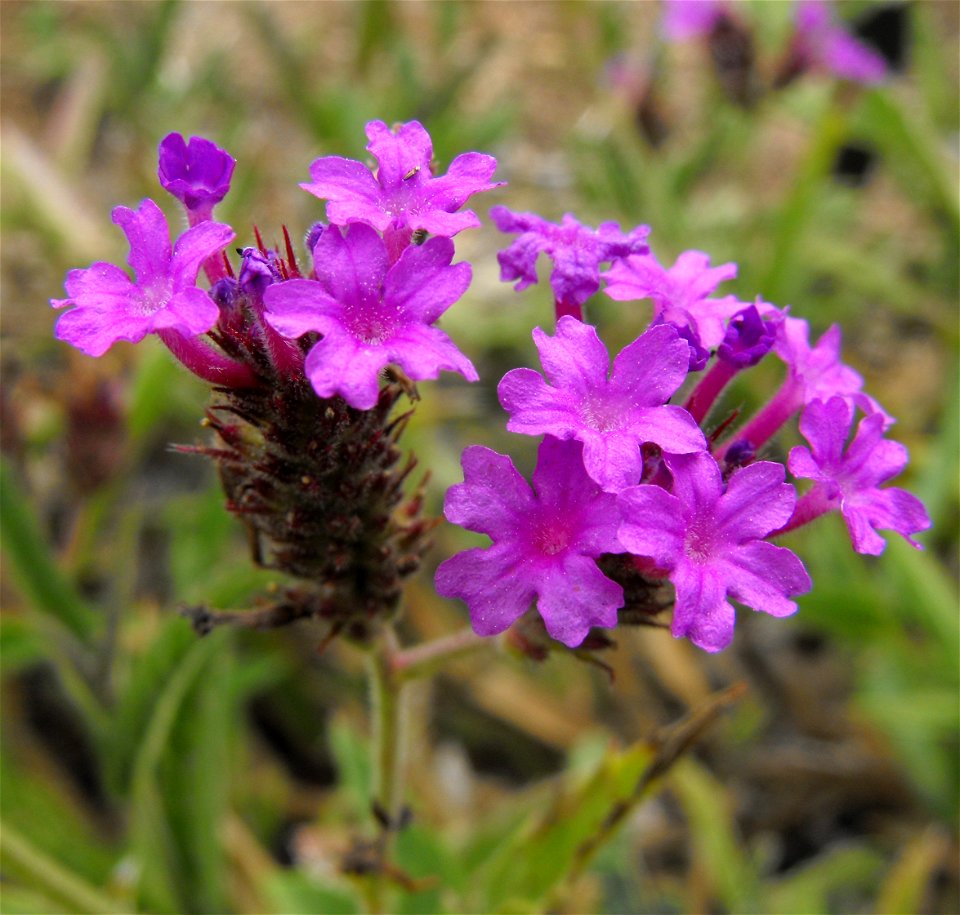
(820, 44)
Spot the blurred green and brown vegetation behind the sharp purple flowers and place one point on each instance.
(144, 769)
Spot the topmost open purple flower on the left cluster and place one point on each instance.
(404, 196)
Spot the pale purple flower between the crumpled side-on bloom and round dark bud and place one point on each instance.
(680, 293)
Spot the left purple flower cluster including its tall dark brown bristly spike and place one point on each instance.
(306, 362)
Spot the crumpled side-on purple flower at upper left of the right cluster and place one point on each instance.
(576, 251)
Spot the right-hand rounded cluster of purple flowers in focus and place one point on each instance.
(674, 492)
